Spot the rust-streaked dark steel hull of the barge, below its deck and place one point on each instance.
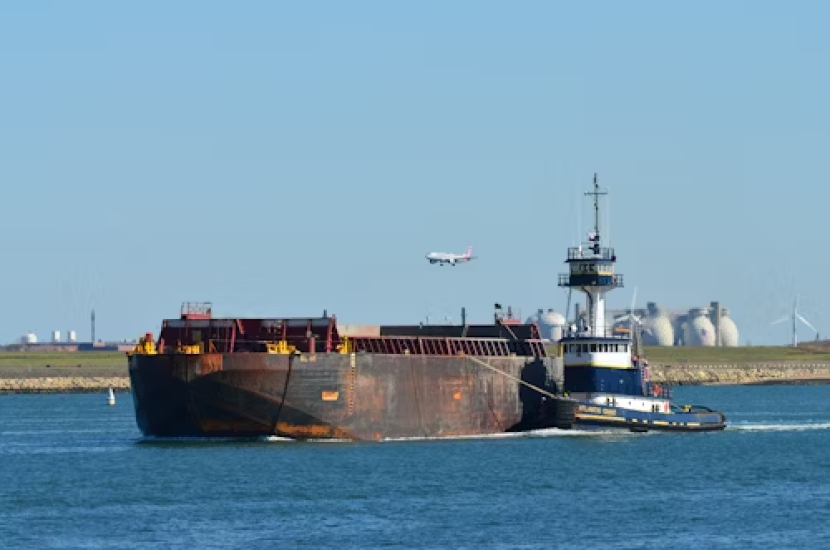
(351, 396)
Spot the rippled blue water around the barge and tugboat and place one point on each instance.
(75, 473)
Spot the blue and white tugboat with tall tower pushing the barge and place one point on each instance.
(604, 371)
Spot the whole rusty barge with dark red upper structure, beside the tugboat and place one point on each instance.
(315, 378)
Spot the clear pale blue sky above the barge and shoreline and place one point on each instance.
(282, 158)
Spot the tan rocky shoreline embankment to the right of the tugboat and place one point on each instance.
(792, 372)
